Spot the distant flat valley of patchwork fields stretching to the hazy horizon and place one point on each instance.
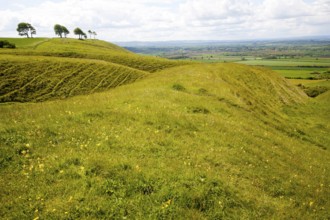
(291, 59)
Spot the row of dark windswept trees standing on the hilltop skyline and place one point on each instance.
(26, 29)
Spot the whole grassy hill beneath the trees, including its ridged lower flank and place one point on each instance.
(43, 69)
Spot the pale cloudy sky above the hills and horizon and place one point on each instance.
(160, 20)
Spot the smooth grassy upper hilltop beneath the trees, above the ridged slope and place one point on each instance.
(94, 49)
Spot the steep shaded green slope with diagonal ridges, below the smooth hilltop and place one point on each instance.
(31, 78)
